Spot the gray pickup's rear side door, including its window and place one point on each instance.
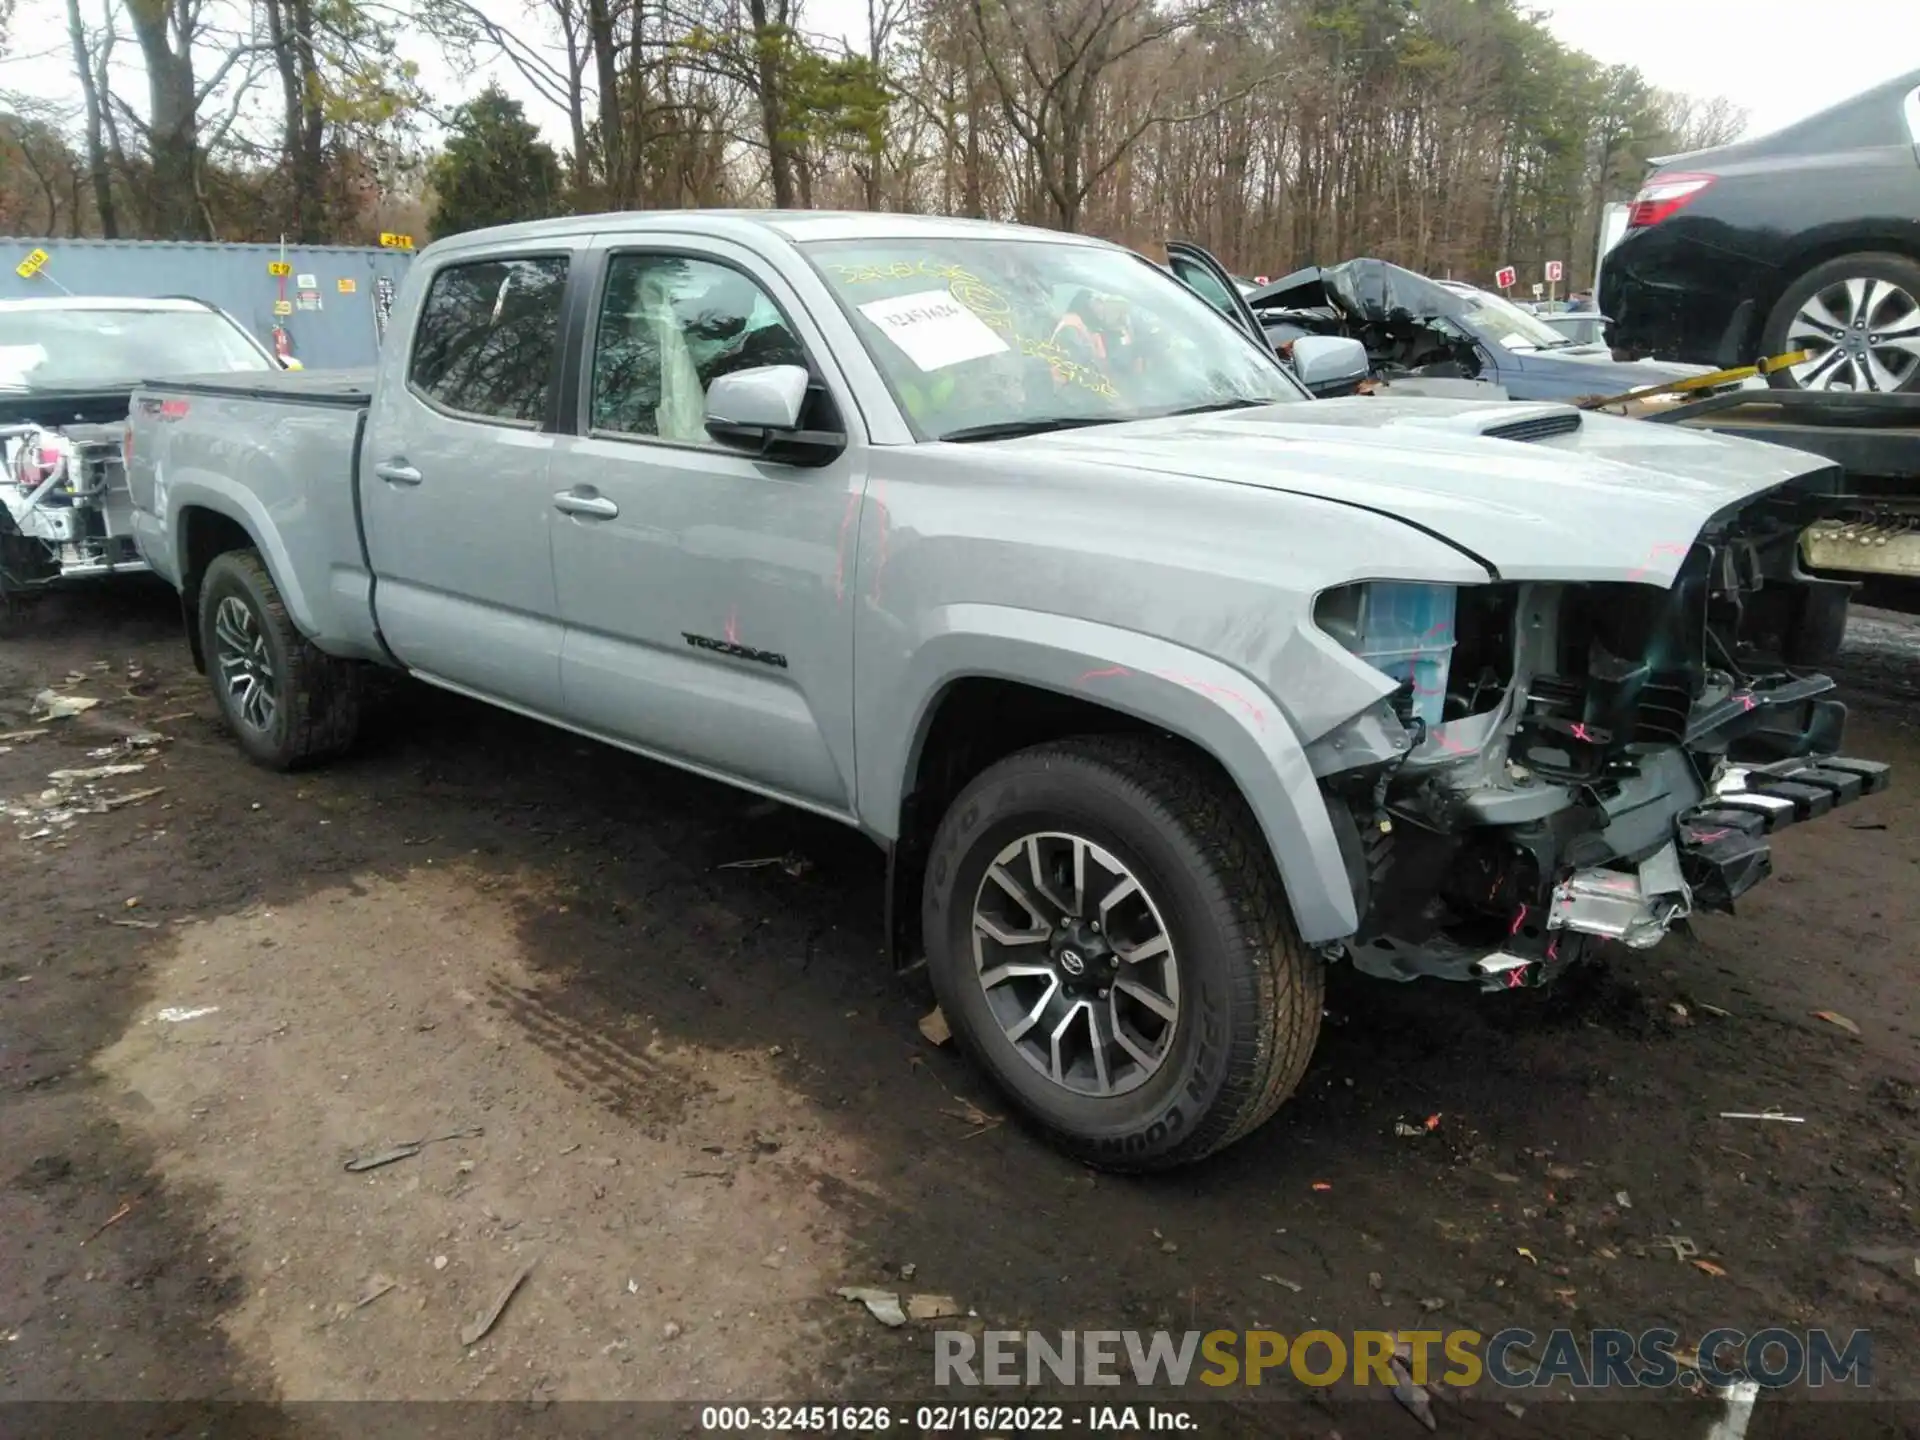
(454, 481)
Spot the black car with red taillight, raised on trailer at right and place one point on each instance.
(1806, 239)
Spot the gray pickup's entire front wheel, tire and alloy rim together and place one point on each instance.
(1111, 942)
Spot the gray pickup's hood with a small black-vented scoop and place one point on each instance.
(1573, 496)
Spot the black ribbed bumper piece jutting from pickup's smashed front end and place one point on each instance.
(1725, 844)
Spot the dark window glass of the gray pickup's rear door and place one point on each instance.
(487, 339)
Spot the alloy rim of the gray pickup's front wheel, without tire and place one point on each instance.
(1076, 963)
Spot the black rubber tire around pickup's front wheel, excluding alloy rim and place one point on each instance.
(1251, 990)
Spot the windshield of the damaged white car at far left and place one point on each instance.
(108, 348)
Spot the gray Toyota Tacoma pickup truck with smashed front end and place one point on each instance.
(1161, 683)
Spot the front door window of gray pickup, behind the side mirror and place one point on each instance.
(669, 327)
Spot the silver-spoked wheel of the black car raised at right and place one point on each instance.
(1860, 320)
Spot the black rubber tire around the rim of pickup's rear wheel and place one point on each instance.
(320, 696)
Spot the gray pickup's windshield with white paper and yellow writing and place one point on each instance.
(1007, 337)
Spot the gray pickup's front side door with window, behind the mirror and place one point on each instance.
(708, 594)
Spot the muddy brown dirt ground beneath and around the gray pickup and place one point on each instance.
(690, 1101)
